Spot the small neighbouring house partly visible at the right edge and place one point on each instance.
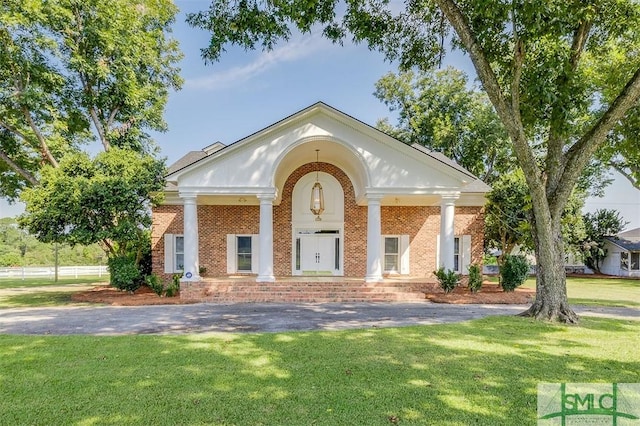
(623, 254)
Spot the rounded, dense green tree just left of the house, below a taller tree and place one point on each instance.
(105, 200)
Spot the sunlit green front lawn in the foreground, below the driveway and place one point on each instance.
(482, 372)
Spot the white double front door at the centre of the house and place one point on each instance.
(318, 254)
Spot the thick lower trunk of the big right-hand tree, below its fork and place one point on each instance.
(551, 302)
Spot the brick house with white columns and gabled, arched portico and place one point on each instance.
(388, 209)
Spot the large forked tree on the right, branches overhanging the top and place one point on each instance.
(561, 76)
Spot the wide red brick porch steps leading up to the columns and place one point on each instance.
(304, 292)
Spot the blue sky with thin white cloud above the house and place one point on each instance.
(248, 90)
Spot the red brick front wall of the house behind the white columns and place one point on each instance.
(422, 224)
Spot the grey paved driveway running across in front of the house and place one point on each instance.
(253, 317)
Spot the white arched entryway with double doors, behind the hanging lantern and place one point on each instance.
(317, 242)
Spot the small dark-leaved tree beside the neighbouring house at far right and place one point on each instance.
(598, 225)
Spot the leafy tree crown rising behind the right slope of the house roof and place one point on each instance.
(436, 109)
